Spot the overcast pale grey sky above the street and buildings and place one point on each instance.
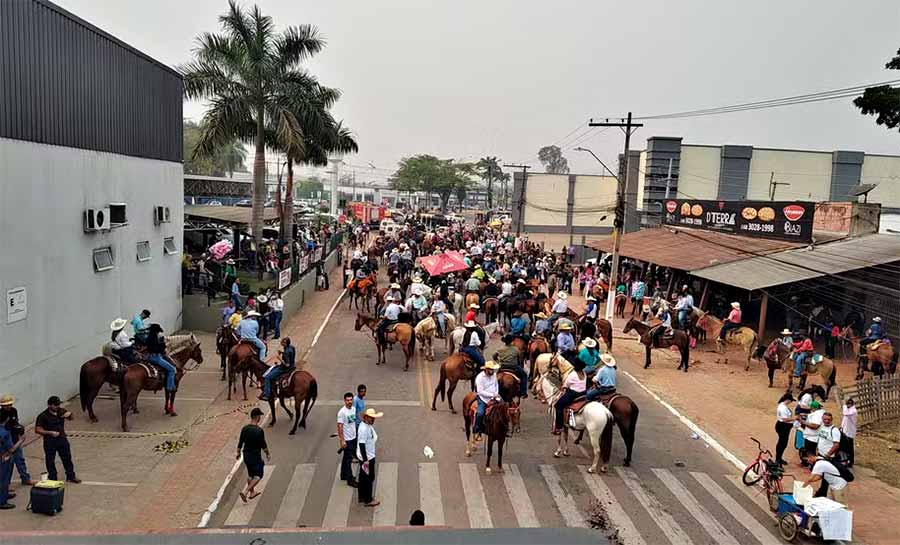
(470, 78)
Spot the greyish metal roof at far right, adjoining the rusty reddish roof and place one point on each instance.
(803, 264)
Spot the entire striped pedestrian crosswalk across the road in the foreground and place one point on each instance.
(653, 505)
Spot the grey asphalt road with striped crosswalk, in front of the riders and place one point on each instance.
(678, 490)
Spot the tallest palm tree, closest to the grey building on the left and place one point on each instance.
(246, 73)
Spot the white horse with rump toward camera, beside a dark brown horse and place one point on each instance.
(595, 418)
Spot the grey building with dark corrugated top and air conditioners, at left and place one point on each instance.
(90, 195)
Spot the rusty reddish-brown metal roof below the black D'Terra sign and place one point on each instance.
(689, 249)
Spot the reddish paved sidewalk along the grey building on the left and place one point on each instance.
(129, 485)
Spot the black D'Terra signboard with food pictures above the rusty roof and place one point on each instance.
(782, 220)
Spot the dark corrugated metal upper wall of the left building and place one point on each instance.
(67, 83)
